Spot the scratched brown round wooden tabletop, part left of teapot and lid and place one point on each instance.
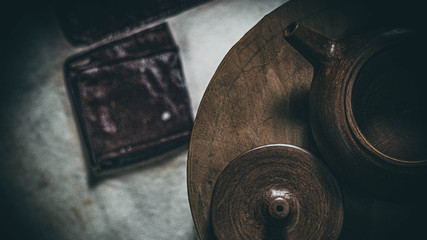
(258, 96)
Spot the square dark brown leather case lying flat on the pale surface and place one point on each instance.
(130, 99)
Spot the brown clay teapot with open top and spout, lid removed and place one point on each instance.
(367, 106)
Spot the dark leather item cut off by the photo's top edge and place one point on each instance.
(86, 22)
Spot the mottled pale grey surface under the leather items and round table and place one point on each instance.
(44, 183)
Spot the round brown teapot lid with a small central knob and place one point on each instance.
(276, 192)
